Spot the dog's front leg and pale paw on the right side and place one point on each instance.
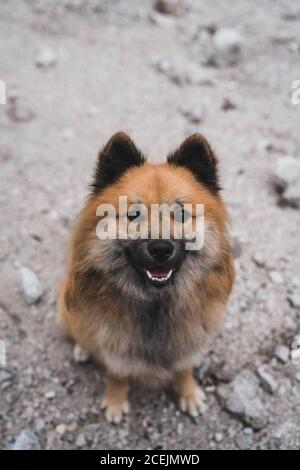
(190, 396)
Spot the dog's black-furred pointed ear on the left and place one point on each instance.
(117, 156)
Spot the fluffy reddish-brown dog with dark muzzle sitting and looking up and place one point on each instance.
(145, 307)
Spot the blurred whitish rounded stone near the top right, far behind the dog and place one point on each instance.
(228, 44)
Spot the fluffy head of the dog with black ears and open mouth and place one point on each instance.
(135, 255)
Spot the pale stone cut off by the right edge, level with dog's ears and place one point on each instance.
(286, 179)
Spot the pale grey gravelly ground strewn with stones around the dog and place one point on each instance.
(77, 71)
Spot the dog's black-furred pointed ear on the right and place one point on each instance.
(196, 155)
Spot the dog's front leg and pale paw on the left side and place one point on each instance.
(115, 398)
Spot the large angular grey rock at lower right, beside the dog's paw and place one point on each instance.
(242, 399)
